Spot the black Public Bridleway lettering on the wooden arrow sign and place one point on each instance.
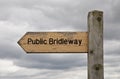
(52, 41)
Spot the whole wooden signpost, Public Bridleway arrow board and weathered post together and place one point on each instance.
(90, 42)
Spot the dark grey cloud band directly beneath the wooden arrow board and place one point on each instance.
(48, 62)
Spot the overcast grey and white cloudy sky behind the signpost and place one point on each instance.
(20, 16)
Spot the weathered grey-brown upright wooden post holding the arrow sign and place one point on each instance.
(95, 46)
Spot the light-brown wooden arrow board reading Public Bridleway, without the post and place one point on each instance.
(52, 42)
